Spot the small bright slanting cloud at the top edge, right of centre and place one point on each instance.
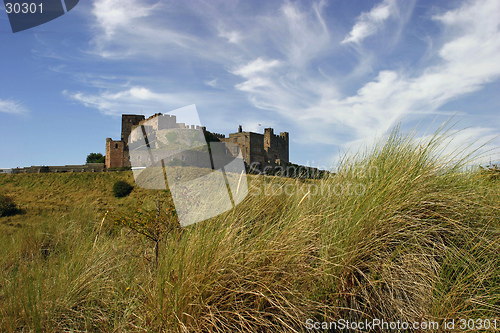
(369, 23)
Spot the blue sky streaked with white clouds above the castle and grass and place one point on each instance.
(334, 74)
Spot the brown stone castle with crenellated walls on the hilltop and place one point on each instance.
(258, 150)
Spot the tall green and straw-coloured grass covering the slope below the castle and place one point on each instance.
(398, 233)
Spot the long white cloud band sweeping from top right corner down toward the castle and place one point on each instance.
(466, 61)
